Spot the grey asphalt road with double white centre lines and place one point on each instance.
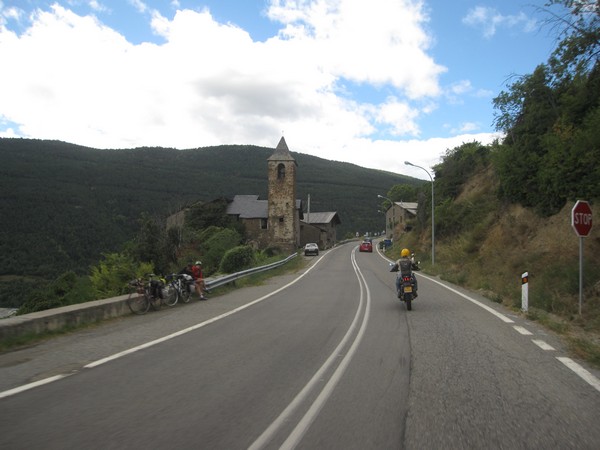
(326, 358)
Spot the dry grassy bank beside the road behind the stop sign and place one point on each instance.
(499, 241)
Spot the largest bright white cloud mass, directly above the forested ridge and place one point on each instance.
(207, 83)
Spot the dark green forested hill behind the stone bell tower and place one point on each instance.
(63, 205)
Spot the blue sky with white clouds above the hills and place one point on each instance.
(374, 83)
